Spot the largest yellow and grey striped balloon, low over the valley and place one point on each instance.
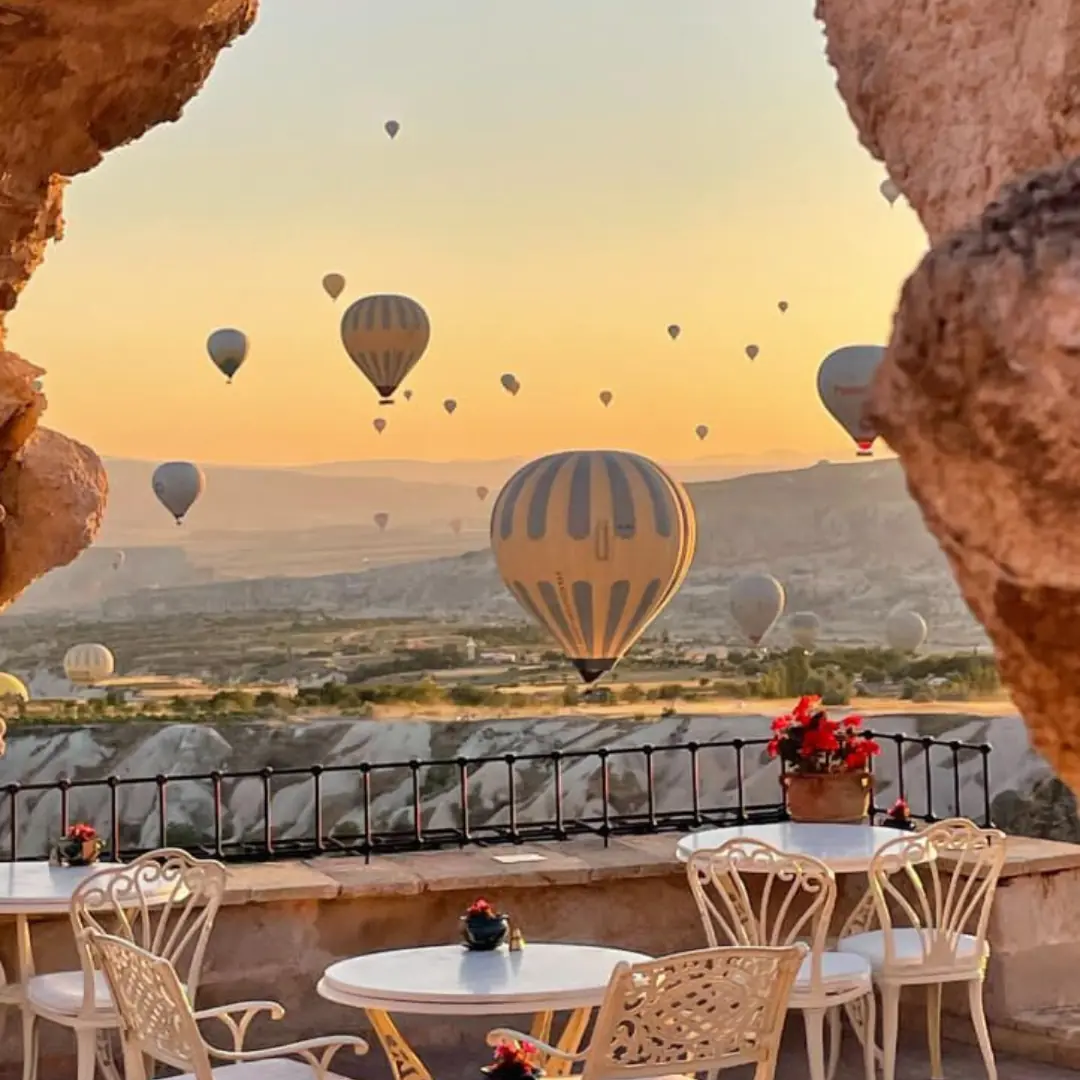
(593, 544)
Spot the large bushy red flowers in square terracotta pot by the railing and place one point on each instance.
(828, 777)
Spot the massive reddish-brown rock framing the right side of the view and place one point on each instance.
(980, 393)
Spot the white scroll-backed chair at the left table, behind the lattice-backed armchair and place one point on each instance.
(166, 902)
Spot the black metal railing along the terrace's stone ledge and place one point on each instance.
(623, 796)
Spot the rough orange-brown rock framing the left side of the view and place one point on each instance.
(77, 79)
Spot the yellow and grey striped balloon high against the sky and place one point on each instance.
(385, 336)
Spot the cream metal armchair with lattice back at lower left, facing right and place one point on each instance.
(158, 1023)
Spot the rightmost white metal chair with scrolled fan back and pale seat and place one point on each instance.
(931, 933)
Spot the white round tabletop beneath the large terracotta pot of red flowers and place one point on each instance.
(844, 849)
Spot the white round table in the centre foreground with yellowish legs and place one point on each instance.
(452, 981)
